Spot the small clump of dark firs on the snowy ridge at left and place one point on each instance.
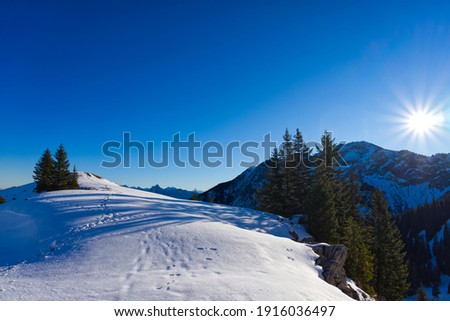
(51, 174)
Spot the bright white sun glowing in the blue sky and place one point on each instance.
(423, 122)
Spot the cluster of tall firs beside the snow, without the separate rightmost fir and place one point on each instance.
(332, 206)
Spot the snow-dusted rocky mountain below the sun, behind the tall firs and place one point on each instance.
(407, 179)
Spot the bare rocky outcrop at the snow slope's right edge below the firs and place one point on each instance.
(332, 260)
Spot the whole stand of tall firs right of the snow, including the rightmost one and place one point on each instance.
(334, 213)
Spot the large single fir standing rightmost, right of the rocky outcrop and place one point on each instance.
(390, 269)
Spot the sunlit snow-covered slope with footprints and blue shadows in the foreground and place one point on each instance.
(107, 242)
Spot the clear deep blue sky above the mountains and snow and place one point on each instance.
(83, 73)
